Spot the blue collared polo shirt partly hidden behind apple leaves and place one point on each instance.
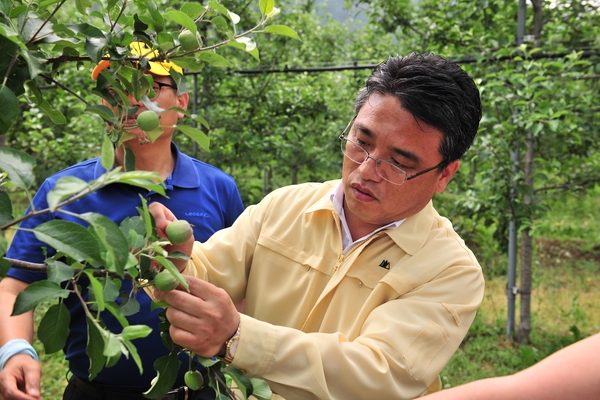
(198, 192)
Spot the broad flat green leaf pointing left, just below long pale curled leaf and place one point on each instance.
(69, 238)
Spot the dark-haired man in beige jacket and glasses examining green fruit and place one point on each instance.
(354, 288)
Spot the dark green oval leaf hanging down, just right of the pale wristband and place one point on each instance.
(54, 328)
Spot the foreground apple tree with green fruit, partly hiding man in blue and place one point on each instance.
(40, 47)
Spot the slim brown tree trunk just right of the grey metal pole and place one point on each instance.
(527, 248)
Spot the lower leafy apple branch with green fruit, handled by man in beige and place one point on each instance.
(131, 250)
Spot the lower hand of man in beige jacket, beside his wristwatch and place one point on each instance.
(201, 320)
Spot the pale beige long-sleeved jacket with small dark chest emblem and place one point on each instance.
(321, 325)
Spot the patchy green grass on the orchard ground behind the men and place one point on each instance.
(564, 303)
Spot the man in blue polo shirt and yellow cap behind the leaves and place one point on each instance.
(197, 192)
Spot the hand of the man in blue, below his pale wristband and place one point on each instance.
(20, 379)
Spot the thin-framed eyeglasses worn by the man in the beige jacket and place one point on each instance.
(386, 170)
